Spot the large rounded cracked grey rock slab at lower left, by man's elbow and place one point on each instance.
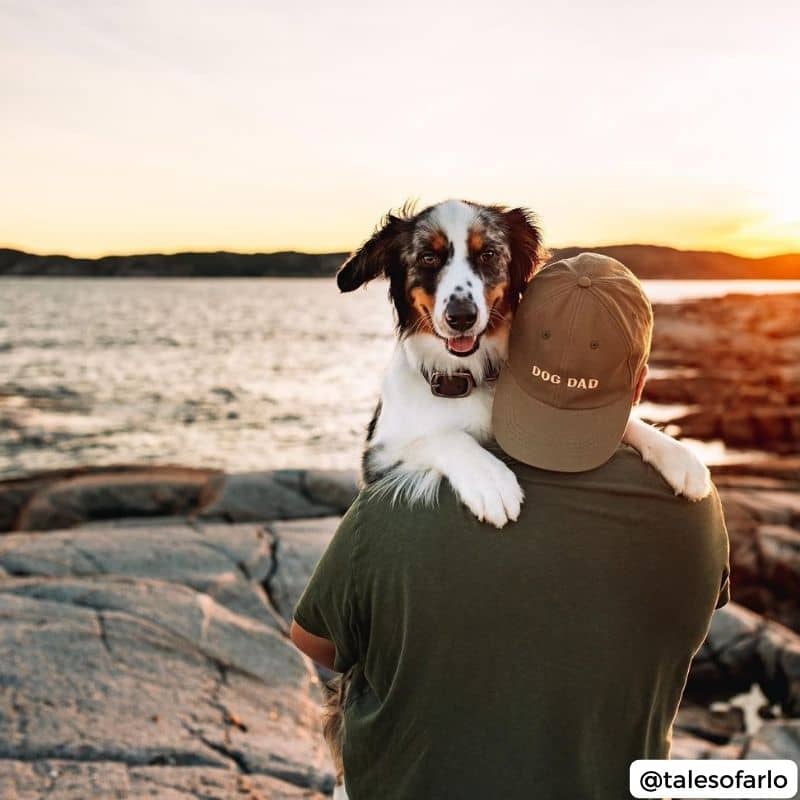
(149, 674)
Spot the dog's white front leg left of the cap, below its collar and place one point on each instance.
(484, 484)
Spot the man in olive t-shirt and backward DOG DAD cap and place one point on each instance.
(540, 661)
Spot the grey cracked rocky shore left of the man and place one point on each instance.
(143, 620)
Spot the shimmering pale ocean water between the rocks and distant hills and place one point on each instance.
(237, 374)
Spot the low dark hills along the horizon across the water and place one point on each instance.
(647, 261)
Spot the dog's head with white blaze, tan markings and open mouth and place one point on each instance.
(456, 270)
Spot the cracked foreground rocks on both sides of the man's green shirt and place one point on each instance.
(143, 618)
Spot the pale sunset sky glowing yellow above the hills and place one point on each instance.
(138, 125)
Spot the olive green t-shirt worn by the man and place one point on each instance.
(533, 662)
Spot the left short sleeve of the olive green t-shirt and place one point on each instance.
(328, 607)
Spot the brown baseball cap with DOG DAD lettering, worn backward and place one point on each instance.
(579, 340)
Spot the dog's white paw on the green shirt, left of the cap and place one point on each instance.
(490, 490)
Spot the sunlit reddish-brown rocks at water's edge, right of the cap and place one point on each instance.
(735, 362)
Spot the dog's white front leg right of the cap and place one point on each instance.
(679, 466)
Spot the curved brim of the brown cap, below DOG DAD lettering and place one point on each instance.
(558, 439)
